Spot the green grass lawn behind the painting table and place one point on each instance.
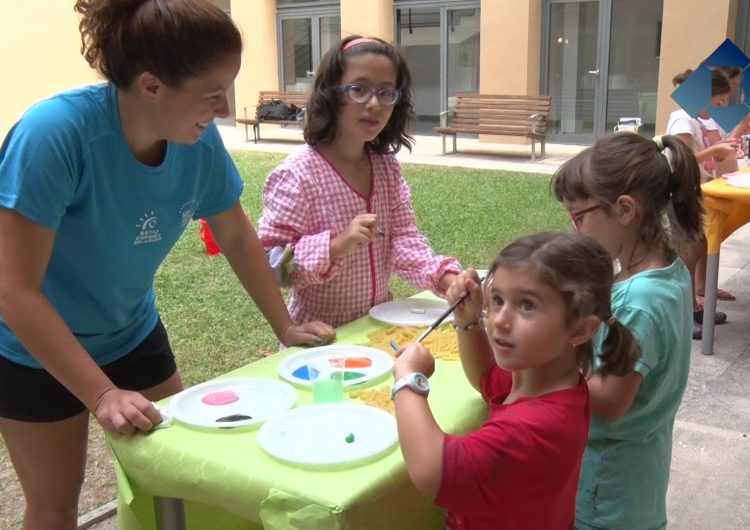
(214, 327)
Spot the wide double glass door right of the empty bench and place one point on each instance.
(600, 65)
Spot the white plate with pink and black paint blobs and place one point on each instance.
(258, 398)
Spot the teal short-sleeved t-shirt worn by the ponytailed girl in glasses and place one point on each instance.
(625, 470)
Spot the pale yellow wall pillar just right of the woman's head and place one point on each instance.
(260, 67)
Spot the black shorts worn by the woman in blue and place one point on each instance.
(33, 395)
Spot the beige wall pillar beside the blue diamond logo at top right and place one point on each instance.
(691, 30)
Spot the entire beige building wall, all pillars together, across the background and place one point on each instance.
(40, 47)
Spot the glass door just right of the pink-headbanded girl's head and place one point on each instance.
(442, 46)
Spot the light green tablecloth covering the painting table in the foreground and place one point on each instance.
(228, 482)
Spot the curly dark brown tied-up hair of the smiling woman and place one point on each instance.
(173, 39)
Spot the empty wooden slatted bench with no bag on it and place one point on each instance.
(498, 115)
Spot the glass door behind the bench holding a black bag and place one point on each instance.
(303, 41)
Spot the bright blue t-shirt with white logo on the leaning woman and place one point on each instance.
(66, 166)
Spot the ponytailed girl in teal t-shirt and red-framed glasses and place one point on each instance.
(616, 192)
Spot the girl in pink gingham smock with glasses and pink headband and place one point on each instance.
(341, 203)
